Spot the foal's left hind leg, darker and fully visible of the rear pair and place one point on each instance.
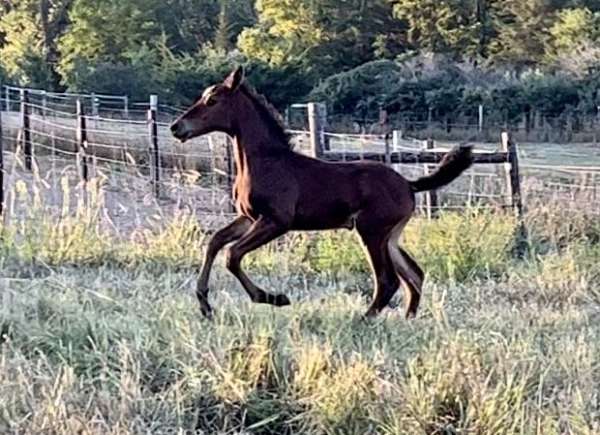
(386, 280)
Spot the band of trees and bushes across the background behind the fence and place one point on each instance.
(420, 58)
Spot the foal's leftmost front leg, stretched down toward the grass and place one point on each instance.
(230, 233)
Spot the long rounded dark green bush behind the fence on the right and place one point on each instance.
(415, 86)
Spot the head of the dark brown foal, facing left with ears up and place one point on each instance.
(212, 111)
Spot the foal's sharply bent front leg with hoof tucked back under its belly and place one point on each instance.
(262, 232)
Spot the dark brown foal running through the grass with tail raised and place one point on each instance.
(277, 190)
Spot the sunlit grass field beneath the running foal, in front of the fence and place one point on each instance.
(100, 332)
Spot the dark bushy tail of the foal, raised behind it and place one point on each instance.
(452, 165)
